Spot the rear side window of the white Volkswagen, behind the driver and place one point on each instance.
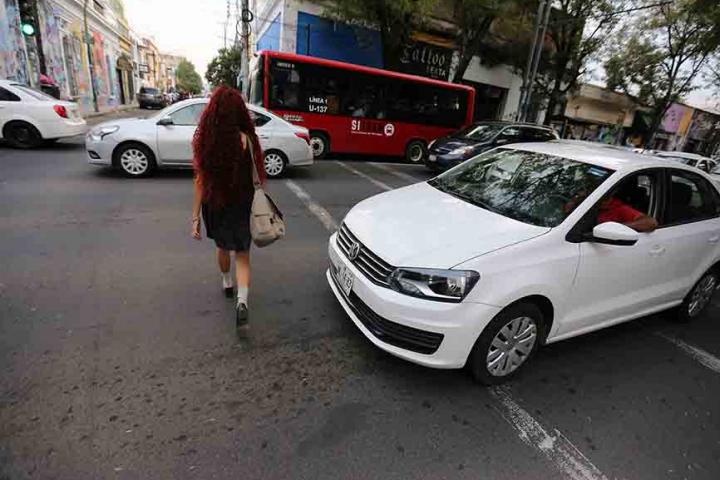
(690, 198)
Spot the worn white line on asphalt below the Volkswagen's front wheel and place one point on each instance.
(559, 450)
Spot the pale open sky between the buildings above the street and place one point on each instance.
(191, 28)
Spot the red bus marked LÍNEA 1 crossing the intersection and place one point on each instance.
(355, 109)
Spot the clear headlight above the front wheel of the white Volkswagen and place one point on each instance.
(433, 284)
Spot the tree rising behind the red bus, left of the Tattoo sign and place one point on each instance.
(395, 19)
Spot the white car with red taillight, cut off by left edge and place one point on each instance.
(29, 117)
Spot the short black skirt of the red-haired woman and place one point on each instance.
(229, 226)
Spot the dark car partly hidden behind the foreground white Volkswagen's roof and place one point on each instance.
(446, 152)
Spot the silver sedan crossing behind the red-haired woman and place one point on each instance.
(138, 146)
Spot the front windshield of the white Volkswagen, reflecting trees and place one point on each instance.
(530, 187)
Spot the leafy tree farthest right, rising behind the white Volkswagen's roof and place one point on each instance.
(662, 56)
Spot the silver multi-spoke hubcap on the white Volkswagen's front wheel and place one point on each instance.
(511, 346)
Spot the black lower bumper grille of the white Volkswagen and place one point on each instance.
(392, 333)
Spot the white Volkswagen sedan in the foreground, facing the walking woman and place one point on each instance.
(504, 253)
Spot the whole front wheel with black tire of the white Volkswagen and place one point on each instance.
(519, 325)
